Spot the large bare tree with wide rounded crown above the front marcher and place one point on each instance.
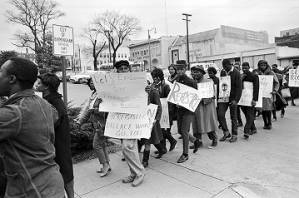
(116, 27)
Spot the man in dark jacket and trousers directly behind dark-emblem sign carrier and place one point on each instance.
(249, 111)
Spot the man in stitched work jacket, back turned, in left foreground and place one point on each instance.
(27, 134)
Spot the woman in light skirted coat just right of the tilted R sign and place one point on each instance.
(205, 119)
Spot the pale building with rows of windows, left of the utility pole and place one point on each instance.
(158, 56)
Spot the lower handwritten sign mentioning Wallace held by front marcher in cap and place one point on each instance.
(131, 126)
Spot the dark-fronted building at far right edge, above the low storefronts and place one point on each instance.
(288, 38)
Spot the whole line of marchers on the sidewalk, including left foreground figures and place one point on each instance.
(34, 132)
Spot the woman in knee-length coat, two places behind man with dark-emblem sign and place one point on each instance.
(264, 69)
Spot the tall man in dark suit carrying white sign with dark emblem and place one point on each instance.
(231, 101)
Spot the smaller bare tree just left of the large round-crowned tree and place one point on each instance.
(97, 46)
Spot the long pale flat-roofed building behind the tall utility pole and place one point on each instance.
(222, 40)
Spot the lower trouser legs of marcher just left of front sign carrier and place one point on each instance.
(99, 145)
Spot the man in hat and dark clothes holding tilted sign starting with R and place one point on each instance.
(184, 116)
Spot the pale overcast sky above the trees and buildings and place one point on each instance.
(166, 16)
